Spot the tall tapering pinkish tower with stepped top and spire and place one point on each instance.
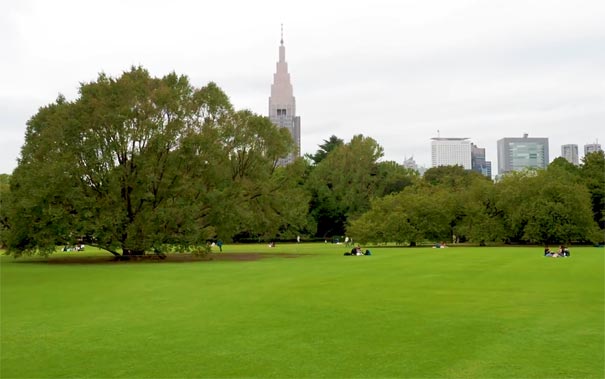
(282, 104)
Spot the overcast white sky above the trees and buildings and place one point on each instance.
(396, 71)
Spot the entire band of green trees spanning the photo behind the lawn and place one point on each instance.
(138, 164)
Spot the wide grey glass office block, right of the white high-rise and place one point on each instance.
(515, 154)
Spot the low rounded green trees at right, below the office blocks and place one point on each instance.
(534, 206)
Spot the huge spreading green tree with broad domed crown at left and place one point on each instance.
(138, 163)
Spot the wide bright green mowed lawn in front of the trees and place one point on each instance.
(461, 312)
